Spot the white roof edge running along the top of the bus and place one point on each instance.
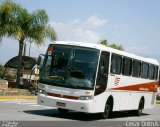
(109, 49)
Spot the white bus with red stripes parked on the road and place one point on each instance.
(93, 78)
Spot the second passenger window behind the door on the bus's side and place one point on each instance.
(127, 65)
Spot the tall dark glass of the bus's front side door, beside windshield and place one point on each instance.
(102, 76)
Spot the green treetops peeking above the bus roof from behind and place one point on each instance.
(115, 46)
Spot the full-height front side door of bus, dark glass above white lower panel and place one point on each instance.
(101, 83)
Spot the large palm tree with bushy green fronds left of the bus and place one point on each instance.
(18, 23)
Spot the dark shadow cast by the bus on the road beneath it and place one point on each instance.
(72, 115)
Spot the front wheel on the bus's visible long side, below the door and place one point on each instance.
(107, 111)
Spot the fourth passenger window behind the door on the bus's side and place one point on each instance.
(144, 70)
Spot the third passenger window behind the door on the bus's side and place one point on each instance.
(136, 68)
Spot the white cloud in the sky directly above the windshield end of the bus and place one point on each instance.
(78, 30)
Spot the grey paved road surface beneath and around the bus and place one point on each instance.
(28, 110)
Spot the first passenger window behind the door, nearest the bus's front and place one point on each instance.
(116, 64)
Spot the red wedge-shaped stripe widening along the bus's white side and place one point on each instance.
(148, 87)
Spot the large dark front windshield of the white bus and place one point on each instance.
(71, 67)
